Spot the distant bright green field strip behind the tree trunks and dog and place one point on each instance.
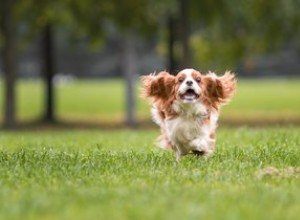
(98, 101)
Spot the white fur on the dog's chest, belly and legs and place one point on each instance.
(187, 132)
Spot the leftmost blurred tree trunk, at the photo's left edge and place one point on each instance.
(9, 62)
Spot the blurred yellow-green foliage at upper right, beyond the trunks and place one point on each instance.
(229, 31)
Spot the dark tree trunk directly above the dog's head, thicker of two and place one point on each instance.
(185, 33)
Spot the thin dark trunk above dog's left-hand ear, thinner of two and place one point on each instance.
(171, 41)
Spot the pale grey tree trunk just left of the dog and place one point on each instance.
(129, 69)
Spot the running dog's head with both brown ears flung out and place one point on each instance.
(189, 86)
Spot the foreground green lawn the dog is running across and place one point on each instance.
(96, 174)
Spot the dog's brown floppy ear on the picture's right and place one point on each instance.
(219, 89)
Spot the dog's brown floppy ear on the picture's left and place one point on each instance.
(158, 86)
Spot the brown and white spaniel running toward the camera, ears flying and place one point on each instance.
(187, 107)
